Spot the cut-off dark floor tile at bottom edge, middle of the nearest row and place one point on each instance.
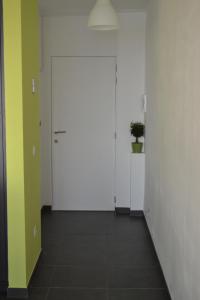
(65, 294)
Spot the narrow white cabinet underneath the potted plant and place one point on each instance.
(137, 181)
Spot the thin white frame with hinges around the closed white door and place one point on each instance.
(115, 121)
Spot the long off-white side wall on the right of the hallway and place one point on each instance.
(172, 142)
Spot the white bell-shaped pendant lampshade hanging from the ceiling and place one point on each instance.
(103, 16)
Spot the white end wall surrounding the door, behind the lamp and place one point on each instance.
(69, 36)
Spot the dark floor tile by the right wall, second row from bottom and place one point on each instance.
(123, 277)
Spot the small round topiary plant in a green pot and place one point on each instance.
(137, 130)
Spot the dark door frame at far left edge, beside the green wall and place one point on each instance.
(3, 190)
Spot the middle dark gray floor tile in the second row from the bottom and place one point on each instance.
(79, 277)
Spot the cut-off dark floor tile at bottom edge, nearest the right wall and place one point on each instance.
(139, 295)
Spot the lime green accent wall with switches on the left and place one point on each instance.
(21, 59)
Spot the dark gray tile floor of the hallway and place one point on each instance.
(97, 256)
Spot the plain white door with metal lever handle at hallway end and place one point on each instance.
(83, 143)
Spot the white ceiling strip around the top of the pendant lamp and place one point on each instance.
(79, 7)
